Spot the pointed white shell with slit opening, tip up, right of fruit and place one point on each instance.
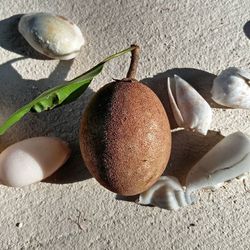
(190, 109)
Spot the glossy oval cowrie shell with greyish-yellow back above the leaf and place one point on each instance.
(52, 35)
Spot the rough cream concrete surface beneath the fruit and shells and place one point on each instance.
(70, 210)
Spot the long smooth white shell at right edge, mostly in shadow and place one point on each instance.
(228, 159)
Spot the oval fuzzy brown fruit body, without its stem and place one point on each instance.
(125, 137)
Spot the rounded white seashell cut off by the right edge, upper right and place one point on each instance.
(231, 88)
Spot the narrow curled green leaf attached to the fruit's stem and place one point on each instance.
(60, 95)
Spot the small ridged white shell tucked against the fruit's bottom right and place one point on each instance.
(166, 193)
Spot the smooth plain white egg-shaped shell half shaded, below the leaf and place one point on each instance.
(32, 160)
